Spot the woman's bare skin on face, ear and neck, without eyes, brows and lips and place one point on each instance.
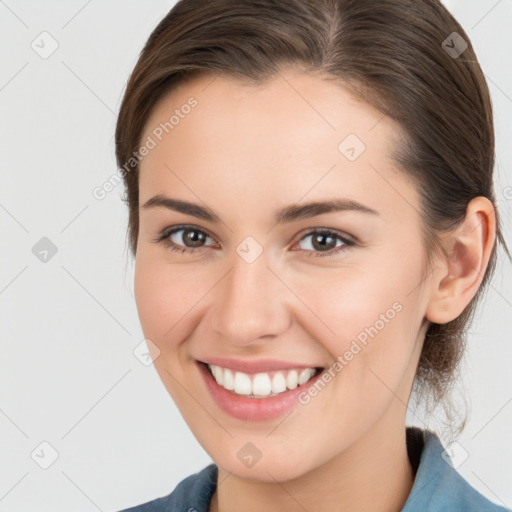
(245, 152)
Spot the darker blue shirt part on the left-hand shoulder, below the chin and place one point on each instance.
(193, 494)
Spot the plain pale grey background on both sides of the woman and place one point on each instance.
(69, 325)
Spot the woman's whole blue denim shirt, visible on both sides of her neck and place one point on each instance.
(437, 486)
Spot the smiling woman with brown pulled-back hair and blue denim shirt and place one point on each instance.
(311, 210)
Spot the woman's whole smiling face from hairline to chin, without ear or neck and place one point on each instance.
(263, 283)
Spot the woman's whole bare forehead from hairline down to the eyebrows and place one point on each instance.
(292, 135)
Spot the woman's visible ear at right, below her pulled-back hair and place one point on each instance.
(460, 272)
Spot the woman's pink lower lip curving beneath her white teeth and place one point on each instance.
(253, 409)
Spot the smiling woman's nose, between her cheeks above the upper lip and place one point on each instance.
(250, 303)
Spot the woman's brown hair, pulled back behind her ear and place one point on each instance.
(397, 55)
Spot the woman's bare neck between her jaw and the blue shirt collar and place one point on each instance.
(374, 474)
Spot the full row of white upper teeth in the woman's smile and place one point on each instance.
(260, 385)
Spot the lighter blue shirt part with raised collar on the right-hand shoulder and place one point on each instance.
(438, 486)
